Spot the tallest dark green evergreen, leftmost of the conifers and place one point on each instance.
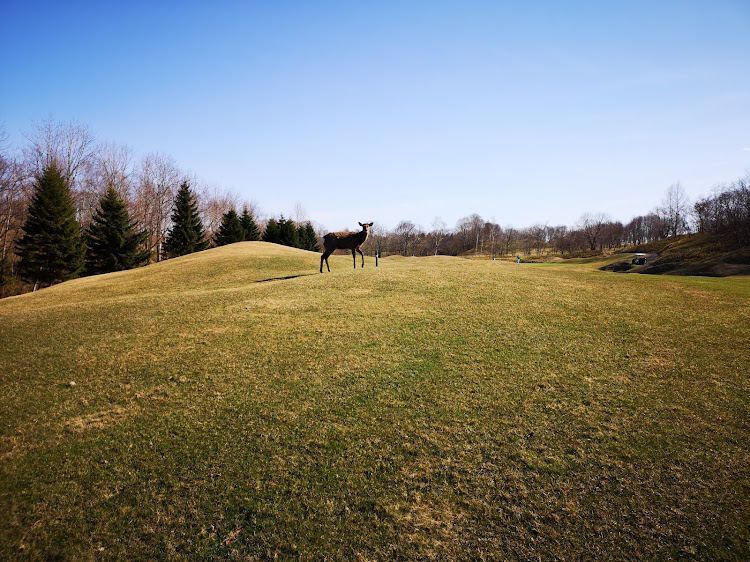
(51, 248)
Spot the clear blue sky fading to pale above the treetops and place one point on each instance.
(522, 112)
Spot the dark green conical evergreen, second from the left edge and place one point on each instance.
(113, 243)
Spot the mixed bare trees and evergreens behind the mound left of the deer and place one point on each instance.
(70, 206)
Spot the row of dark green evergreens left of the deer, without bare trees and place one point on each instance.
(54, 248)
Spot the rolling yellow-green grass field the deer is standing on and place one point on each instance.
(235, 404)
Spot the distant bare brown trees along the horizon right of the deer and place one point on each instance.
(726, 212)
